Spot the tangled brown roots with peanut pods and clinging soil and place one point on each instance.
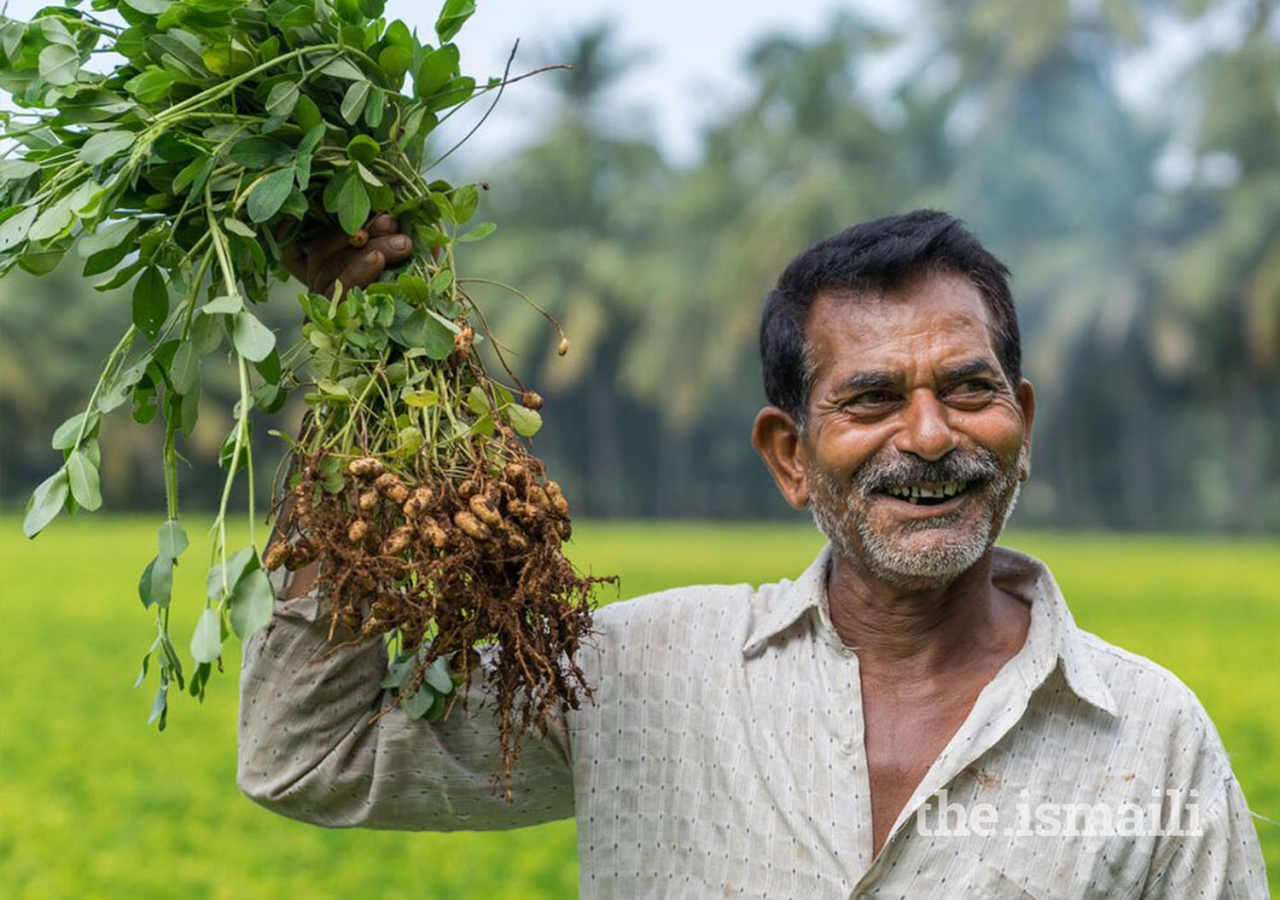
(445, 565)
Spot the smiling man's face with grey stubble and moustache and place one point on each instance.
(916, 442)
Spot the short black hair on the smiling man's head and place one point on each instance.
(870, 259)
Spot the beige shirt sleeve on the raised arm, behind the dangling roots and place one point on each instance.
(319, 743)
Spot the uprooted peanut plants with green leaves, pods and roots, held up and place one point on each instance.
(230, 133)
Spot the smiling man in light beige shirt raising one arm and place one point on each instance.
(916, 716)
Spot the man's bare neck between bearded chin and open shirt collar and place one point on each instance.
(924, 632)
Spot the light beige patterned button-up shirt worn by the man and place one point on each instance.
(725, 757)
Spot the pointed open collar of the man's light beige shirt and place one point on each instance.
(1053, 639)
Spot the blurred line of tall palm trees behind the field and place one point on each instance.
(1144, 234)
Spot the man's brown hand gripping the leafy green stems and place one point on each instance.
(332, 258)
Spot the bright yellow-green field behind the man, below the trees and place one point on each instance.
(94, 805)
